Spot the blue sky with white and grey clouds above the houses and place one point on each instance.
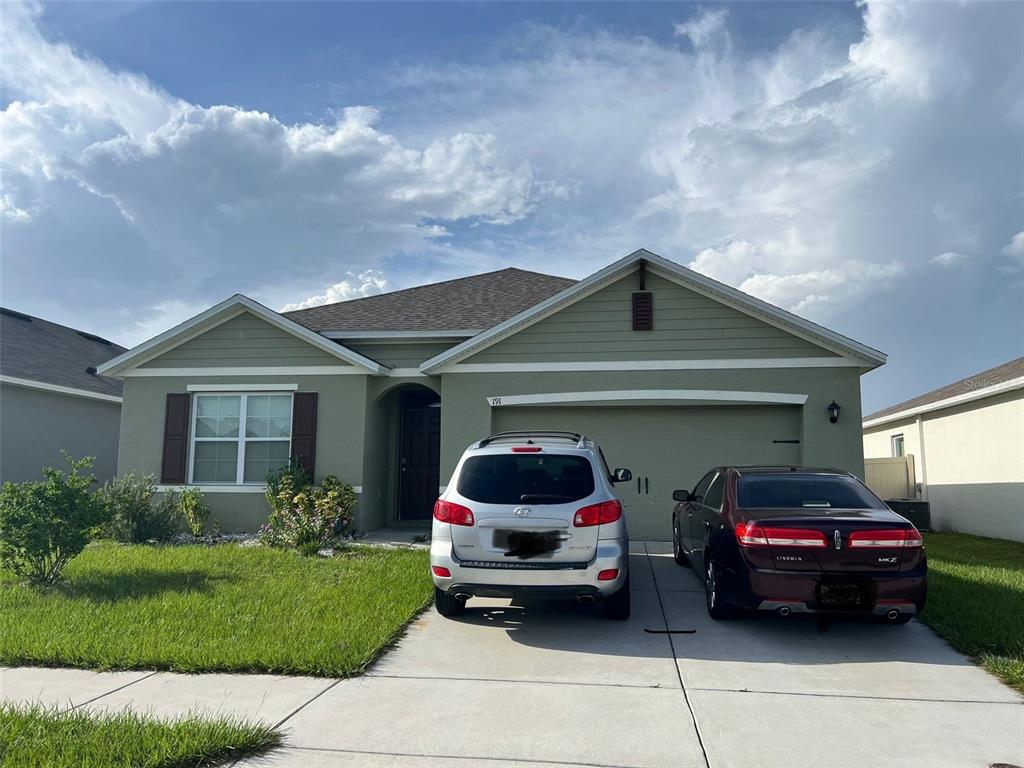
(862, 165)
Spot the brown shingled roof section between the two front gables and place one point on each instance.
(471, 304)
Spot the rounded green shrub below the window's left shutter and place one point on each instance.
(135, 517)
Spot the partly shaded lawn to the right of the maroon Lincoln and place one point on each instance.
(976, 601)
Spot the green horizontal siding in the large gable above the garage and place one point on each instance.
(688, 326)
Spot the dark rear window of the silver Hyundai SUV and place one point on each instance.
(518, 479)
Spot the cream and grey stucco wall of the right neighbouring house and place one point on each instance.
(972, 465)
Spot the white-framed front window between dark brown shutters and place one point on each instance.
(239, 439)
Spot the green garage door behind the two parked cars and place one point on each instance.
(668, 447)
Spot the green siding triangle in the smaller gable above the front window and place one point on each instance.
(244, 340)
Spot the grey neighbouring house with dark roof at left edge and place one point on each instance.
(52, 398)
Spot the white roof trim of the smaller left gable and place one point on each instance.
(220, 314)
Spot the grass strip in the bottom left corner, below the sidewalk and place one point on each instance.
(41, 738)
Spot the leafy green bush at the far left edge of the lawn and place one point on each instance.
(44, 525)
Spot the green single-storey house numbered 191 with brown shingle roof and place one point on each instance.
(670, 371)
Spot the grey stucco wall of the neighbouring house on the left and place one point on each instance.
(35, 425)
